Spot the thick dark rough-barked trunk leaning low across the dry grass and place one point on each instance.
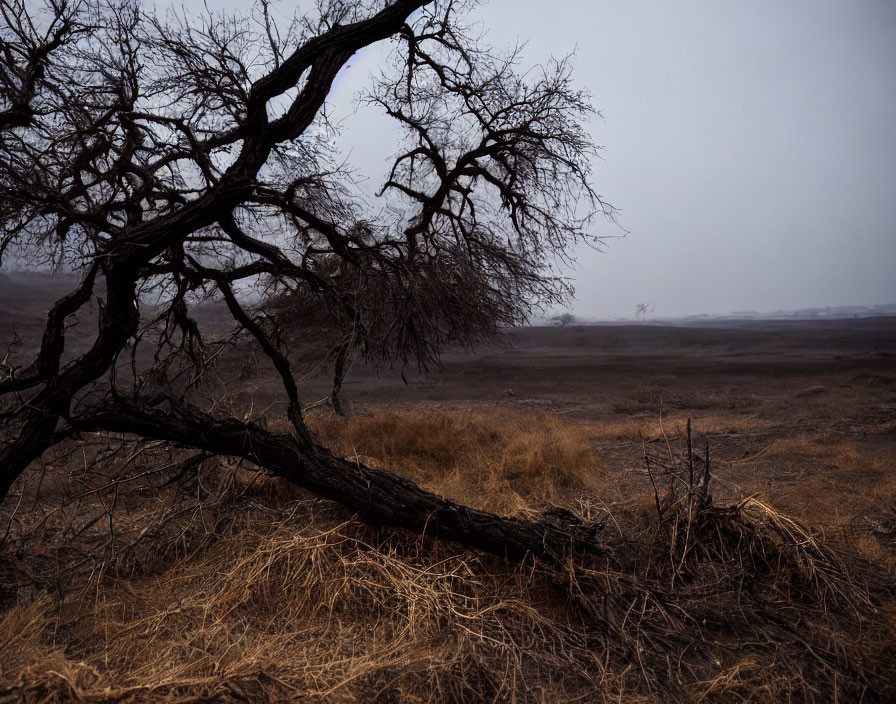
(380, 496)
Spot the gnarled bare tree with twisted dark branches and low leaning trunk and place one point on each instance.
(180, 159)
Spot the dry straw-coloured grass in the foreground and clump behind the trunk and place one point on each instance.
(247, 590)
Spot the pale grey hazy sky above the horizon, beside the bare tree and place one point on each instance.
(749, 146)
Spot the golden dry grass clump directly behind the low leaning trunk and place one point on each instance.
(494, 458)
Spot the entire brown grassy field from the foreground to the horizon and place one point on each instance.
(128, 576)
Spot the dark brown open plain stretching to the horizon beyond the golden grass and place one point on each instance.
(803, 411)
